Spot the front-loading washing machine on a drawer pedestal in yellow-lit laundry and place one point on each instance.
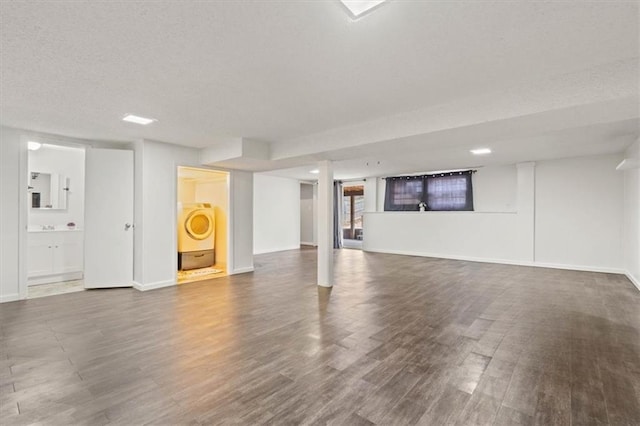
(196, 236)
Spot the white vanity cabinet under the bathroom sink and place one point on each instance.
(53, 256)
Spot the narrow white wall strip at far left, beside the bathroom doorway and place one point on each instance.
(11, 153)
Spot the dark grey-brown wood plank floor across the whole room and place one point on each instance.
(399, 340)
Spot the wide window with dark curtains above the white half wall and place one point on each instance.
(450, 191)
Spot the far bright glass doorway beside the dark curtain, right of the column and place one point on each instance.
(352, 213)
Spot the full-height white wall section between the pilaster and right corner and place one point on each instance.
(579, 210)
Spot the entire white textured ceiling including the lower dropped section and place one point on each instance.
(532, 79)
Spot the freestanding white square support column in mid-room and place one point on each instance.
(325, 224)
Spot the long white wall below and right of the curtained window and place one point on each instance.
(569, 215)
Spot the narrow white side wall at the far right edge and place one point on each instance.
(631, 222)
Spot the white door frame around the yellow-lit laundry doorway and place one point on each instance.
(230, 227)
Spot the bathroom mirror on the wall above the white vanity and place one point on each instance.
(48, 191)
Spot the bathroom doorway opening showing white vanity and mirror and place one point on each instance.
(55, 219)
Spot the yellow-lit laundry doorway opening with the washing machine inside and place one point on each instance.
(202, 224)
